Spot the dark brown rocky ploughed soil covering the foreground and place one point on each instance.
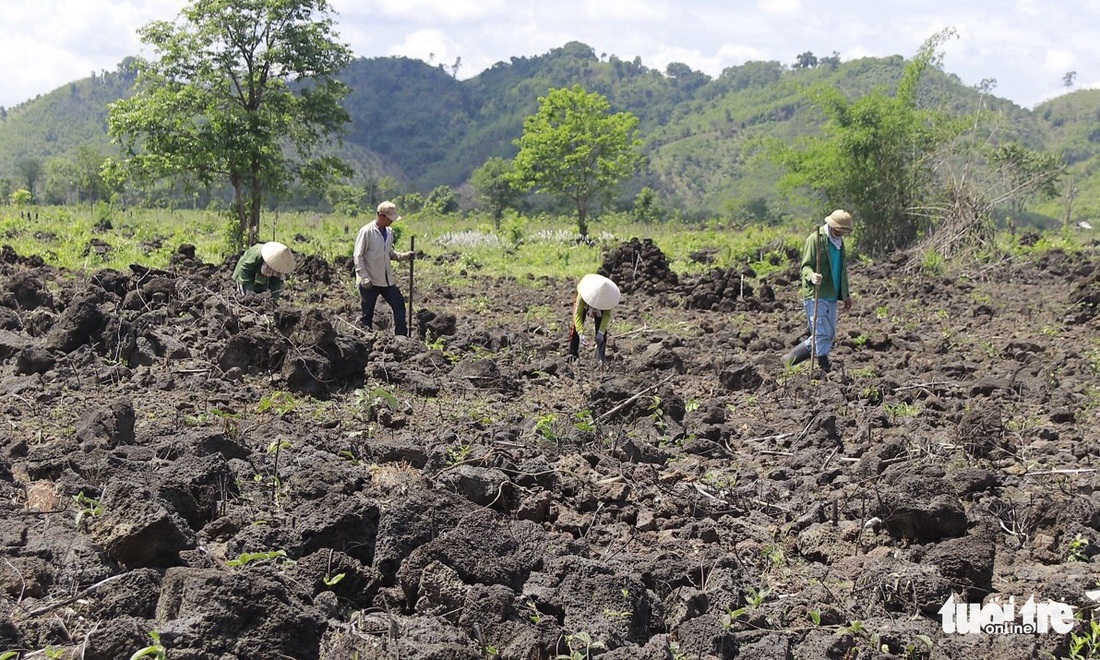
(222, 478)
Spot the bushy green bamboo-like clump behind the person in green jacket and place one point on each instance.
(876, 157)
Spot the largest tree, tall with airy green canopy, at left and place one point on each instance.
(240, 91)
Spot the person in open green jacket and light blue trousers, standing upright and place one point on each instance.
(824, 279)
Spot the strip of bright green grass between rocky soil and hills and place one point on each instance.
(86, 239)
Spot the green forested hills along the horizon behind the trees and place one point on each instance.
(426, 128)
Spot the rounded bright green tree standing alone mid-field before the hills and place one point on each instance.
(576, 148)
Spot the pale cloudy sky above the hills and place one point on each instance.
(1027, 46)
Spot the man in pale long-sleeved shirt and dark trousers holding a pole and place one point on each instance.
(375, 274)
